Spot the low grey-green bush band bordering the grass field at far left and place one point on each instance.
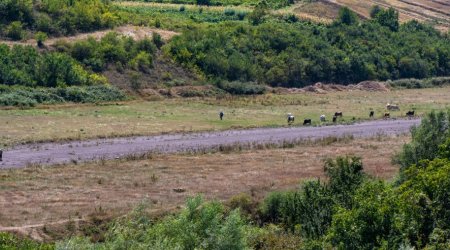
(29, 97)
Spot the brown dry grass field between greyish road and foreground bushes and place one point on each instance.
(35, 199)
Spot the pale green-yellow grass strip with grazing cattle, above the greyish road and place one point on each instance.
(63, 122)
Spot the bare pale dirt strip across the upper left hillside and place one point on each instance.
(136, 32)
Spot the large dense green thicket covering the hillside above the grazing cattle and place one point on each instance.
(295, 54)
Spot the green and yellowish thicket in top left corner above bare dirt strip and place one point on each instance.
(55, 17)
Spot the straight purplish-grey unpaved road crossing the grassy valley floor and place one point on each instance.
(58, 153)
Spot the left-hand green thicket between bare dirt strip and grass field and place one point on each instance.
(72, 64)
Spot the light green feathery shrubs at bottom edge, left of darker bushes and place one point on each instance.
(198, 226)
